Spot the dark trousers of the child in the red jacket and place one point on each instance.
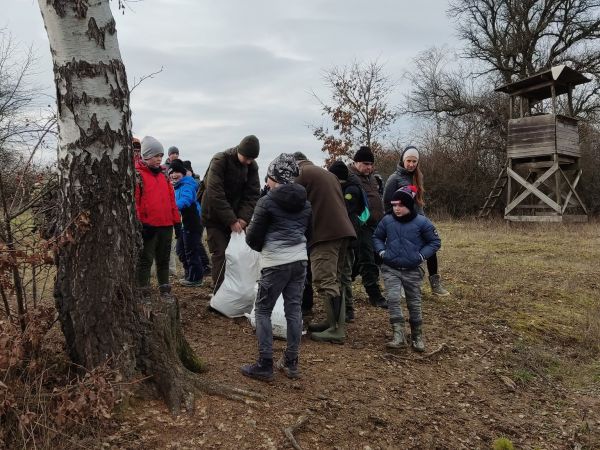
(157, 247)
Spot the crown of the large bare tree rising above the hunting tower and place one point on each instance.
(517, 38)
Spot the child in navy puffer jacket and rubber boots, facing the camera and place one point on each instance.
(404, 239)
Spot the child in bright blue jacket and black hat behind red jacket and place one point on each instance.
(188, 243)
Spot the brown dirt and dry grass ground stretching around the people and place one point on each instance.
(514, 352)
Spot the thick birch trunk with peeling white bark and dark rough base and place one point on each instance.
(98, 306)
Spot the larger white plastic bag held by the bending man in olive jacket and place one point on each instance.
(235, 296)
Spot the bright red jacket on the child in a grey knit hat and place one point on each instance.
(154, 198)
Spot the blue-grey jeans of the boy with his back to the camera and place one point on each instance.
(286, 279)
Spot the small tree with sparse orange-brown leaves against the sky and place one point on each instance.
(359, 108)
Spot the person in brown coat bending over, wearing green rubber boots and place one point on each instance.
(330, 234)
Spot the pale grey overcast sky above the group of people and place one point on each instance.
(233, 68)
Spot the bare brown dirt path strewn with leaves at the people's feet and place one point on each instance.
(360, 396)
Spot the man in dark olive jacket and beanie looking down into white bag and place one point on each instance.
(231, 190)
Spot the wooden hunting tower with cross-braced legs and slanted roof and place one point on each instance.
(542, 170)
